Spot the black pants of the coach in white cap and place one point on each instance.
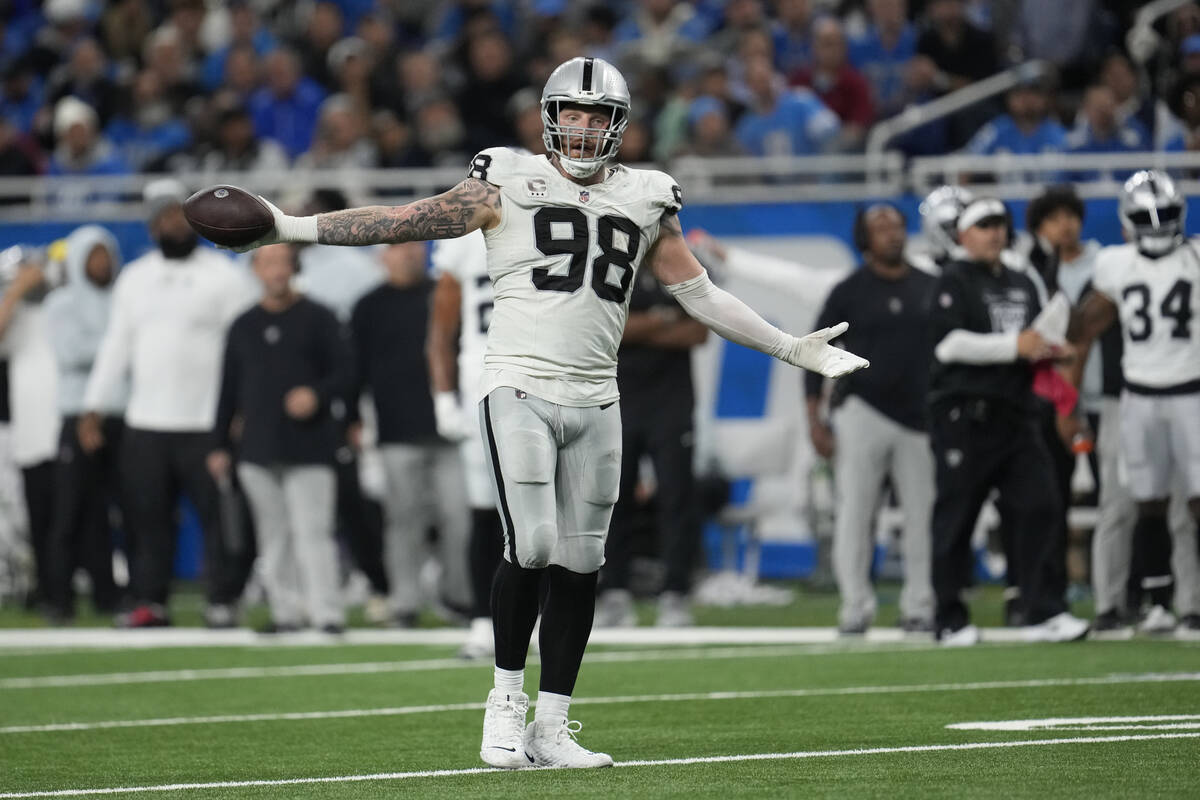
(980, 446)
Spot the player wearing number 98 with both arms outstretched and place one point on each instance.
(566, 232)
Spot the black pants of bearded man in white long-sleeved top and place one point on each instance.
(157, 467)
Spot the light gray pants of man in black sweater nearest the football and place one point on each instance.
(293, 509)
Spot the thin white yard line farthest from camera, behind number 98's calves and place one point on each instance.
(424, 665)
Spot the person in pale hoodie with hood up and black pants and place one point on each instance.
(86, 478)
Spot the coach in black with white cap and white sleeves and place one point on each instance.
(985, 431)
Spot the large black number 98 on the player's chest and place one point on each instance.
(613, 254)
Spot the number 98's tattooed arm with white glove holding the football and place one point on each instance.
(471, 206)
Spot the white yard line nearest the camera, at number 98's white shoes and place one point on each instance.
(664, 762)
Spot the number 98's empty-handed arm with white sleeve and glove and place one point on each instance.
(729, 317)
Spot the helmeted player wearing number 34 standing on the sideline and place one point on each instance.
(1153, 285)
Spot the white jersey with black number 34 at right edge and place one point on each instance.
(1159, 300)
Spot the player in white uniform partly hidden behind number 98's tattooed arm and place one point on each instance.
(463, 312)
